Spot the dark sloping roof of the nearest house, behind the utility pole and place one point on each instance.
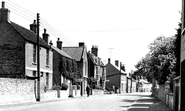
(28, 35)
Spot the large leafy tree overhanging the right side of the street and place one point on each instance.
(160, 62)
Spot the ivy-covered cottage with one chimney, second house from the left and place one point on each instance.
(61, 61)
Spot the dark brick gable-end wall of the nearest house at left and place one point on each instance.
(12, 51)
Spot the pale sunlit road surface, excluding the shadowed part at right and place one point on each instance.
(114, 102)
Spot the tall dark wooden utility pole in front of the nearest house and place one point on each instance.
(38, 58)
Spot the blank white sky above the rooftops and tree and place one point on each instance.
(122, 29)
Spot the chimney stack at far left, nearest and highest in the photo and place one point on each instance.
(4, 13)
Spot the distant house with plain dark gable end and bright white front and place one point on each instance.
(116, 78)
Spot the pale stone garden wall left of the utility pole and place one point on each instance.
(16, 90)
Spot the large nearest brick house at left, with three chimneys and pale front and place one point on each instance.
(18, 47)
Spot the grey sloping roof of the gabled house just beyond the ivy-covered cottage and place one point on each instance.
(75, 52)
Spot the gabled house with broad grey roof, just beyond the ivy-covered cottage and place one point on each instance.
(80, 55)
